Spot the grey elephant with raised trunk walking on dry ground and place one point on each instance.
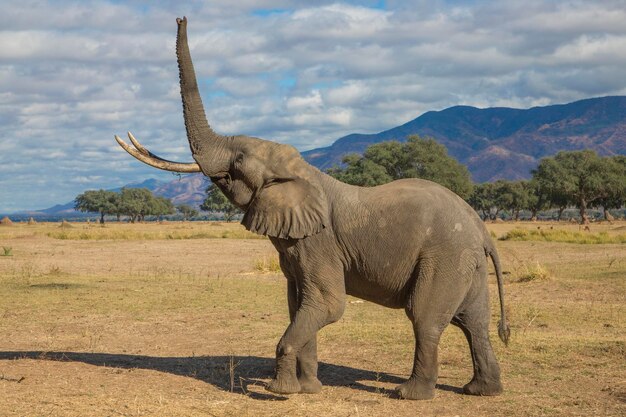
(410, 244)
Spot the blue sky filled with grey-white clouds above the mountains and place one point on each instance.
(74, 73)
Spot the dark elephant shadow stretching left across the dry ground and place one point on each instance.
(228, 373)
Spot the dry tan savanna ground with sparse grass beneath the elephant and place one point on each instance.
(182, 319)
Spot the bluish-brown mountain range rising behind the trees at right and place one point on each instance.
(499, 142)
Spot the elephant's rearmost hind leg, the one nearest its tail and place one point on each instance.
(473, 320)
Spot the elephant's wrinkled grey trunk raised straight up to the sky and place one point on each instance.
(208, 147)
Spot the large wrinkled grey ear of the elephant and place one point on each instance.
(291, 204)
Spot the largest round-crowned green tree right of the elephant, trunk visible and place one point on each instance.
(579, 175)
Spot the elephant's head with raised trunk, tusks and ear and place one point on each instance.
(279, 192)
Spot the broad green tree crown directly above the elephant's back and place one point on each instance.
(417, 158)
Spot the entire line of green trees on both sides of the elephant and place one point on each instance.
(580, 179)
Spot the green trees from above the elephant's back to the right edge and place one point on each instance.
(580, 179)
